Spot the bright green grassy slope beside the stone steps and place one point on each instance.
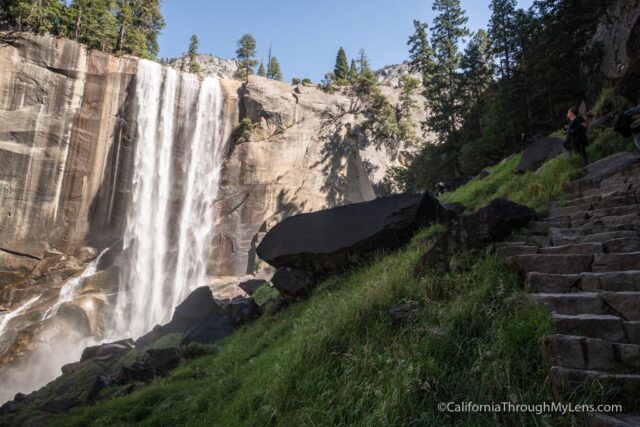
(336, 359)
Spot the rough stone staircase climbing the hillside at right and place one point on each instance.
(582, 263)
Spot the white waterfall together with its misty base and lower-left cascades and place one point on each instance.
(179, 150)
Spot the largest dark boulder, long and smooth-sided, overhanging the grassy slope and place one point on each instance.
(332, 240)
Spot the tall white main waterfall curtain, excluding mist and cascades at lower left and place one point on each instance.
(177, 162)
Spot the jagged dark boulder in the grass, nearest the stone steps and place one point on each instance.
(498, 219)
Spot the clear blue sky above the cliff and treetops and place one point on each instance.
(305, 35)
